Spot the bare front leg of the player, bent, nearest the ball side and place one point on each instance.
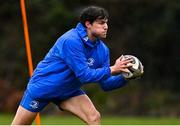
(83, 108)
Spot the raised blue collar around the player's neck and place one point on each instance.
(83, 34)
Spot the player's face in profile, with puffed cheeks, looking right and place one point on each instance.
(99, 28)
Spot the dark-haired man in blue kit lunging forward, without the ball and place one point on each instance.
(78, 57)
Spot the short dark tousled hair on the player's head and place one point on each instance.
(93, 13)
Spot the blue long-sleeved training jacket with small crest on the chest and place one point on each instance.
(73, 61)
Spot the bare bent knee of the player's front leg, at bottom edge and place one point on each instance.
(94, 117)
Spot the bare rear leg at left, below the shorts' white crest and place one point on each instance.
(23, 117)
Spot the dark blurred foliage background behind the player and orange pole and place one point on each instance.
(147, 29)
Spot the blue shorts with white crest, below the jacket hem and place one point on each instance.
(36, 105)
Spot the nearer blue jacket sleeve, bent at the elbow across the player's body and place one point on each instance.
(73, 54)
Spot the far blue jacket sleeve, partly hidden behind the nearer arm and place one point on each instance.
(112, 82)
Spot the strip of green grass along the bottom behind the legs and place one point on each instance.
(71, 120)
